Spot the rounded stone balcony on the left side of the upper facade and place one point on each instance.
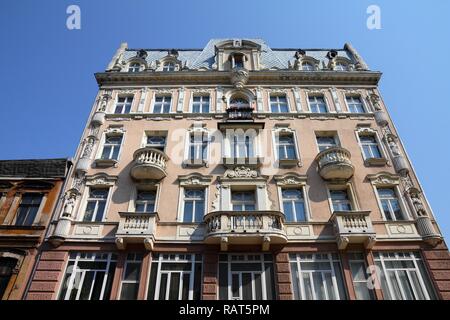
(149, 163)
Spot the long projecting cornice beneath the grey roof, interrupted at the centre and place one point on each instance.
(255, 77)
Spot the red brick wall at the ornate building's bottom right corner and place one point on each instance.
(438, 260)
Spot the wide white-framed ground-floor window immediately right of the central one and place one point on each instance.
(317, 276)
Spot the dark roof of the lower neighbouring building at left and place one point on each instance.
(34, 168)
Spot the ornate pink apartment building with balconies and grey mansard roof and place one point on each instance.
(238, 171)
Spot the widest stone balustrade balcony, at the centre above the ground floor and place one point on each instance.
(245, 228)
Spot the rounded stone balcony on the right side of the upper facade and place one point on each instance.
(334, 164)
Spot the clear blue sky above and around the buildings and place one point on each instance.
(47, 84)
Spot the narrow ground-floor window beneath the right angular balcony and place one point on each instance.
(360, 277)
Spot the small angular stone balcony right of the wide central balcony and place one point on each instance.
(353, 227)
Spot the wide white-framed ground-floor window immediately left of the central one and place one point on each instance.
(175, 277)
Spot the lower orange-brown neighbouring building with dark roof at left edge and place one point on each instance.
(29, 192)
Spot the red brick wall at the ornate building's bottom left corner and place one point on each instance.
(48, 274)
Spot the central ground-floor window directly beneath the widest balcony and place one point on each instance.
(246, 277)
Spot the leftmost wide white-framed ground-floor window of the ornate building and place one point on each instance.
(88, 276)
